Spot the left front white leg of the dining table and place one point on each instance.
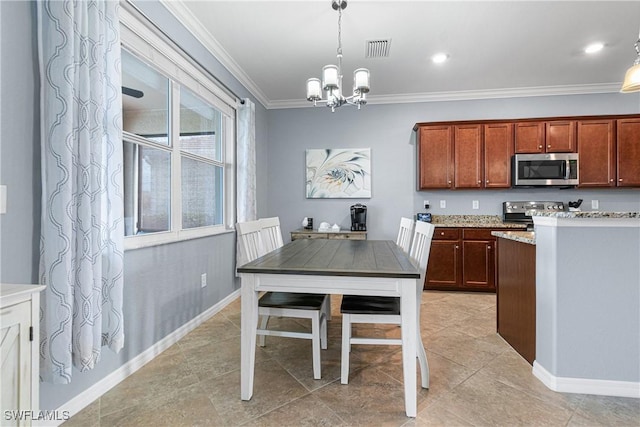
(249, 325)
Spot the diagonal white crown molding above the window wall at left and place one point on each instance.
(193, 25)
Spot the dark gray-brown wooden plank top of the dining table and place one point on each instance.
(326, 257)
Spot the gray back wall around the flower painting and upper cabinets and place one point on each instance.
(388, 131)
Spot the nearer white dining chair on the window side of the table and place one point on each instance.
(252, 236)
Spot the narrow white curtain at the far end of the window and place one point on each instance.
(246, 169)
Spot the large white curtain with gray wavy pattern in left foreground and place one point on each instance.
(82, 236)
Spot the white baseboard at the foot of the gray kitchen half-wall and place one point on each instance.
(585, 385)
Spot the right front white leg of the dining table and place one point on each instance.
(408, 310)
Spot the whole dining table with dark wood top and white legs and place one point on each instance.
(324, 266)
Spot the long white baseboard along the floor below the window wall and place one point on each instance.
(85, 398)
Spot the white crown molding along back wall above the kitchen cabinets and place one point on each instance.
(467, 95)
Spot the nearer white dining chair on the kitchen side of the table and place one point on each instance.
(386, 310)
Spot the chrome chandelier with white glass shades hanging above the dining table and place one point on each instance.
(332, 77)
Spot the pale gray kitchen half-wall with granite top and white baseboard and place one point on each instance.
(587, 279)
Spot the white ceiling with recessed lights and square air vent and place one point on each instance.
(496, 49)
